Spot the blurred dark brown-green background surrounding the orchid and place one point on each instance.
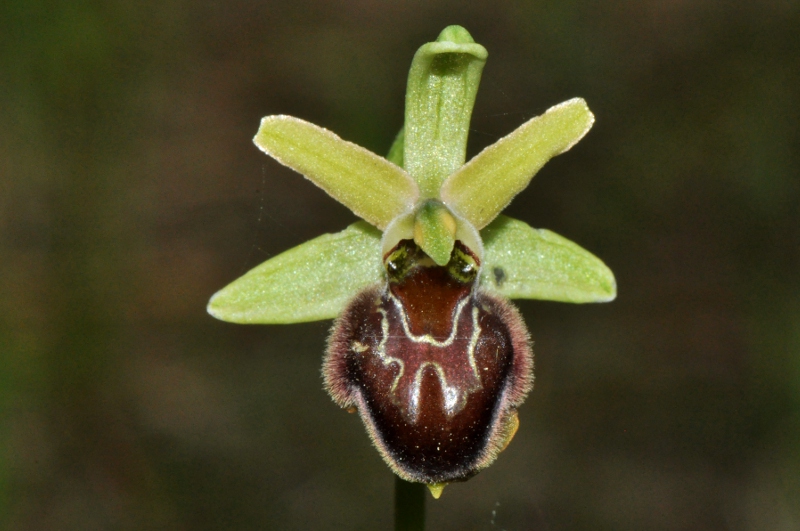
(130, 192)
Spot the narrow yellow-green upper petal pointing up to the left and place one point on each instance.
(372, 187)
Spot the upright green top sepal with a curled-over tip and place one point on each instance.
(442, 85)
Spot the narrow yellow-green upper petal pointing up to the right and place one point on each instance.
(483, 187)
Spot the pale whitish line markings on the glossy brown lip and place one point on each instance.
(454, 398)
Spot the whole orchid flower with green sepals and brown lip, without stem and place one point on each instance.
(425, 346)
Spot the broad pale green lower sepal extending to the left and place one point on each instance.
(309, 282)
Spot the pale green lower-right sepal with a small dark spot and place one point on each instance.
(525, 263)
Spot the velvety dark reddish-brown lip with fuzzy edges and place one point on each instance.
(435, 366)
